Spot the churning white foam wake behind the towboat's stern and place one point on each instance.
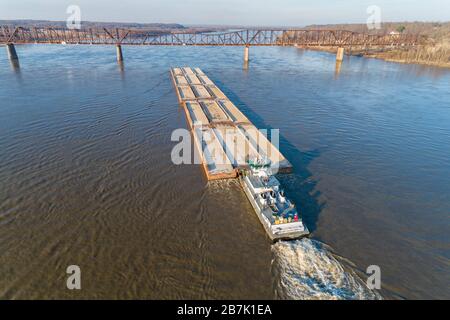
(306, 269)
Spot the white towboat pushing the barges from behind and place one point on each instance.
(278, 215)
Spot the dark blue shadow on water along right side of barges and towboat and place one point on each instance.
(299, 185)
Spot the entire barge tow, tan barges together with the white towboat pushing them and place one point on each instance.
(230, 146)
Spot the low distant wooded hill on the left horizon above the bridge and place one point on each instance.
(93, 24)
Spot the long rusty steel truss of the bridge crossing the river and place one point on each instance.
(106, 36)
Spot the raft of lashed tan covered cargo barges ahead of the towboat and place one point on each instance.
(223, 135)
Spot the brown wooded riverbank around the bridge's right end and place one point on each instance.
(435, 50)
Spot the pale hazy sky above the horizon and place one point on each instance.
(230, 12)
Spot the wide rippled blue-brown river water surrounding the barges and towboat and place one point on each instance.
(86, 177)
